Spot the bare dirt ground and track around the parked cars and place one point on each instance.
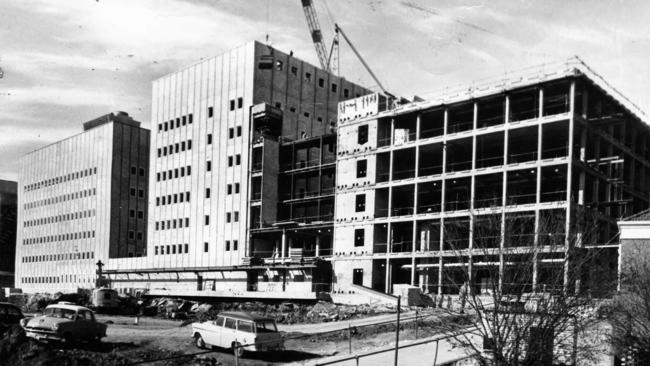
(155, 339)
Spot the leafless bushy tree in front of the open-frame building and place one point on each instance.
(527, 294)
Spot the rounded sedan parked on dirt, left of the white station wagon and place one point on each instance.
(65, 322)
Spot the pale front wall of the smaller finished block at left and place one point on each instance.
(88, 150)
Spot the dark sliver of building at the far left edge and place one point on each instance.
(8, 213)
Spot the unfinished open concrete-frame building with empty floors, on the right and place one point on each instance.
(552, 142)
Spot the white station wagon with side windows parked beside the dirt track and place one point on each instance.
(239, 331)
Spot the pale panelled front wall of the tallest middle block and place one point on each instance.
(211, 83)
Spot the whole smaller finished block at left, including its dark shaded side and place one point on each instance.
(82, 200)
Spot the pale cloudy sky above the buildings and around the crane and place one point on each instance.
(67, 62)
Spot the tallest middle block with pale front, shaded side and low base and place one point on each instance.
(206, 207)
